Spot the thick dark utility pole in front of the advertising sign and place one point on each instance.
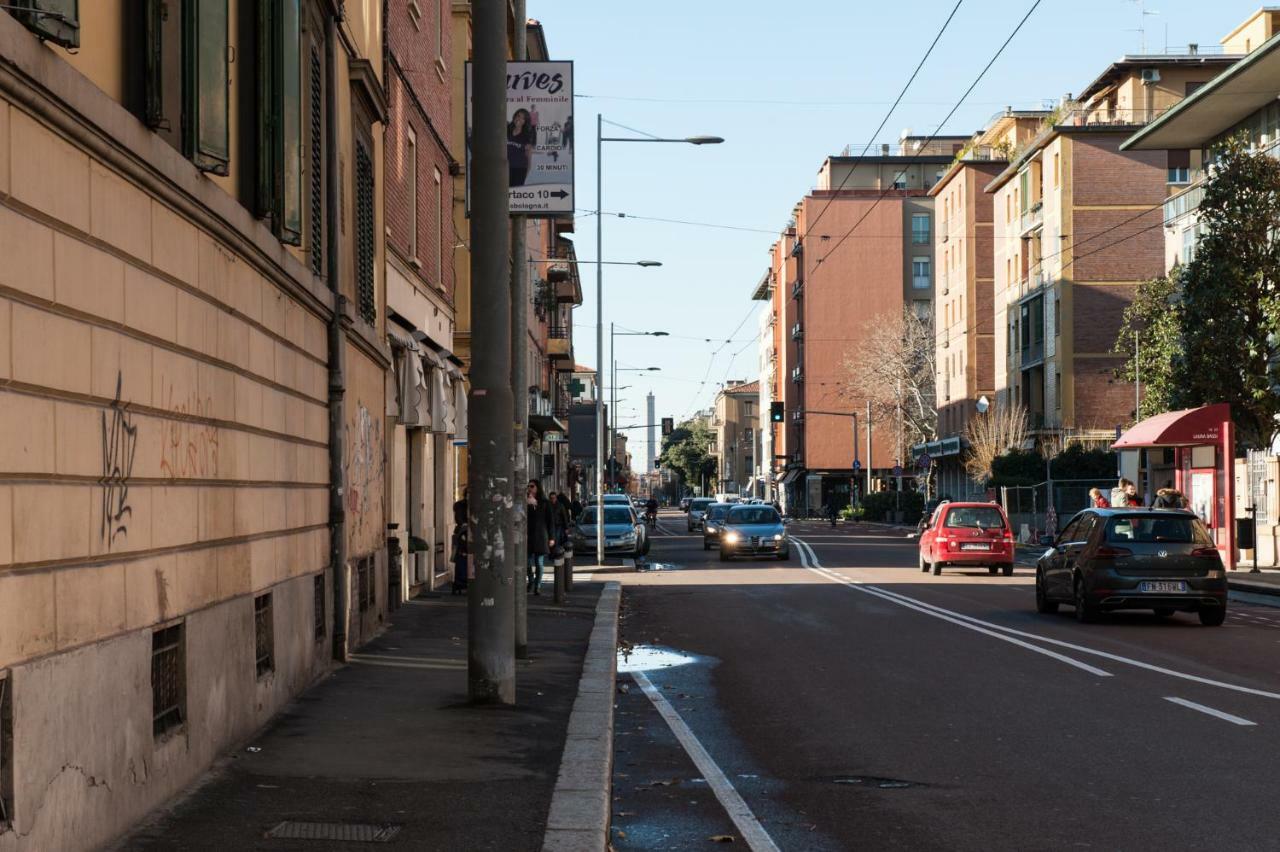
(491, 617)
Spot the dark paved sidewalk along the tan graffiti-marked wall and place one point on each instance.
(391, 741)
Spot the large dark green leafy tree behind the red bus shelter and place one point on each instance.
(1209, 333)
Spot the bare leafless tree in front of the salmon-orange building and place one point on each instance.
(893, 368)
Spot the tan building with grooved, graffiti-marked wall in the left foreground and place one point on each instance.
(191, 524)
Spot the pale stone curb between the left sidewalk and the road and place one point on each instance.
(579, 819)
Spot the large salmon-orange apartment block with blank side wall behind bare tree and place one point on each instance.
(862, 249)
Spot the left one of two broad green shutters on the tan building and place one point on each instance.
(205, 121)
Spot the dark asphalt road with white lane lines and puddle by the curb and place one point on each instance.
(844, 700)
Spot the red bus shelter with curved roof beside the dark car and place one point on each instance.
(1204, 443)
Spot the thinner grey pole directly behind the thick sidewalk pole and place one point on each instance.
(519, 390)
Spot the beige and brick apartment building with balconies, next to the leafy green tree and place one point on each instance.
(1077, 228)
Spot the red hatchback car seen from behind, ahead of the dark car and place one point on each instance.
(968, 535)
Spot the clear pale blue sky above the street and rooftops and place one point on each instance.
(787, 85)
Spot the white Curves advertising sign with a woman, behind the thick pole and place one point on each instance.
(540, 138)
